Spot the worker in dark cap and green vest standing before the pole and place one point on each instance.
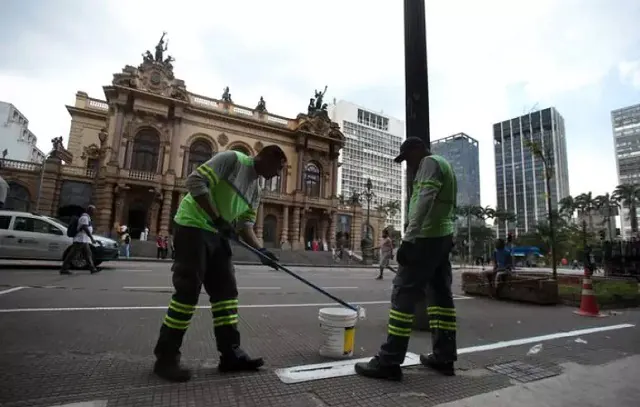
(424, 268)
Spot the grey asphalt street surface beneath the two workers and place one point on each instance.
(89, 338)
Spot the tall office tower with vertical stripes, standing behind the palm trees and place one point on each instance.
(520, 179)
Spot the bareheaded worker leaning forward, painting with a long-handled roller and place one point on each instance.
(222, 190)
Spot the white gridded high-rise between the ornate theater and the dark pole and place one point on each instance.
(372, 142)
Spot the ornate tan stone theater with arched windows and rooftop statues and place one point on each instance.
(130, 153)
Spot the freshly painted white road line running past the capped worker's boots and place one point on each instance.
(305, 373)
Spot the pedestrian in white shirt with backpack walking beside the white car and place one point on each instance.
(81, 230)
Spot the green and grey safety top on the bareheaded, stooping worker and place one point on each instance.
(233, 190)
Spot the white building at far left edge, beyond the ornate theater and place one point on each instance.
(16, 140)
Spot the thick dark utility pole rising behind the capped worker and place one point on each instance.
(417, 101)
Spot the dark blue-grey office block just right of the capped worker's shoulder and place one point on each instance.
(463, 154)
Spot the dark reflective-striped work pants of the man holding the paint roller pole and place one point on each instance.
(201, 258)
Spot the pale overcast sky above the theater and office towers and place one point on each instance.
(489, 60)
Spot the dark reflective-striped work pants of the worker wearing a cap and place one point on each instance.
(430, 275)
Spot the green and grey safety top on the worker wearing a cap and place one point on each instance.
(440, 221)
